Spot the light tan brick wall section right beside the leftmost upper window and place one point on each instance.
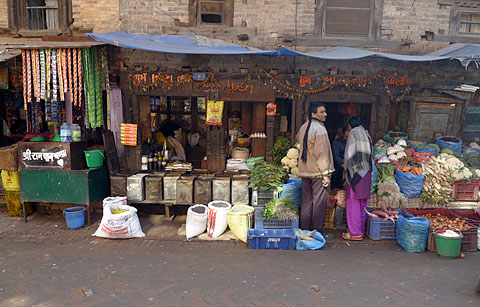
(98, 16)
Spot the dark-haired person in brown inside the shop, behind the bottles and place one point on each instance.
(170, 133)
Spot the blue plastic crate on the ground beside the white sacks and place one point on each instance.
(271, 238)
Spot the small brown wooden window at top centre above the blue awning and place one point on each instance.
(211, 12)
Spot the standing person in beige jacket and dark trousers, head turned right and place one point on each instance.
(315, 166)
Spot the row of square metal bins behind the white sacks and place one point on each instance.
(184, 189)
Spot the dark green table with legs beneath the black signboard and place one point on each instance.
(82, 187)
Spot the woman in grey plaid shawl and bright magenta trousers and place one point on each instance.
(358, 165)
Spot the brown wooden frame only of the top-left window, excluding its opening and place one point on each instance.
(18, 23)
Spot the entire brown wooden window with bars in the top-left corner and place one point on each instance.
(39, 17)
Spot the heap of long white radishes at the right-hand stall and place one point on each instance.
(438, 181)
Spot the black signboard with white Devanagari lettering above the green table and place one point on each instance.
(51, 155)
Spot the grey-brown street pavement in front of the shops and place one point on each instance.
(42, 263)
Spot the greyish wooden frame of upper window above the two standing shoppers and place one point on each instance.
(374, 27)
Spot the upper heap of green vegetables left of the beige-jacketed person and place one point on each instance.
(265, 176)
